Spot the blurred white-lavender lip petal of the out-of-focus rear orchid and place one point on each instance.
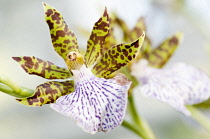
(178, 86)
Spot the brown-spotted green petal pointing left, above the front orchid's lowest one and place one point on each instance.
(45, 69)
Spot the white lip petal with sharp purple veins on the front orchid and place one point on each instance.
(97, 104)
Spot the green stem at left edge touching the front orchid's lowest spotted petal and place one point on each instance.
(11, 88)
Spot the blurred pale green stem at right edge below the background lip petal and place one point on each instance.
(199, 117)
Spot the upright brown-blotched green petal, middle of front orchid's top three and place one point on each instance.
(97, 39)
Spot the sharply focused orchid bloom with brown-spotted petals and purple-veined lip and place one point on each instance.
(89, 95)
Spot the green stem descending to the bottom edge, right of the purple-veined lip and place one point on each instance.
(141, 125)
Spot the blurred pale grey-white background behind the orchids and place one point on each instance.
(24, 32)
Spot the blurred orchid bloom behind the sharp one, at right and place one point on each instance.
(179, 85)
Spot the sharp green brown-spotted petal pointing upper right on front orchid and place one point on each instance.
(117, 57)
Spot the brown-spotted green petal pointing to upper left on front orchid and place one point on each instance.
(63, 38)
